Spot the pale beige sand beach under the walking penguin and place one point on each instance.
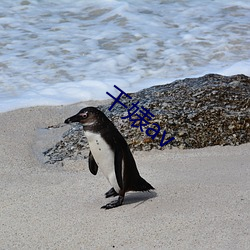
(201, 201)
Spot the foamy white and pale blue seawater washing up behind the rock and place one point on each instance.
(61, 52)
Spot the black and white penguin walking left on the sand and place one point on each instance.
(110, 152)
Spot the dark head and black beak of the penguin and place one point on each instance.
(88, 117)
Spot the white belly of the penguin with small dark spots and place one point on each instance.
(104, 157)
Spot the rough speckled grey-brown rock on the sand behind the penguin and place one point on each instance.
(205, 111)
